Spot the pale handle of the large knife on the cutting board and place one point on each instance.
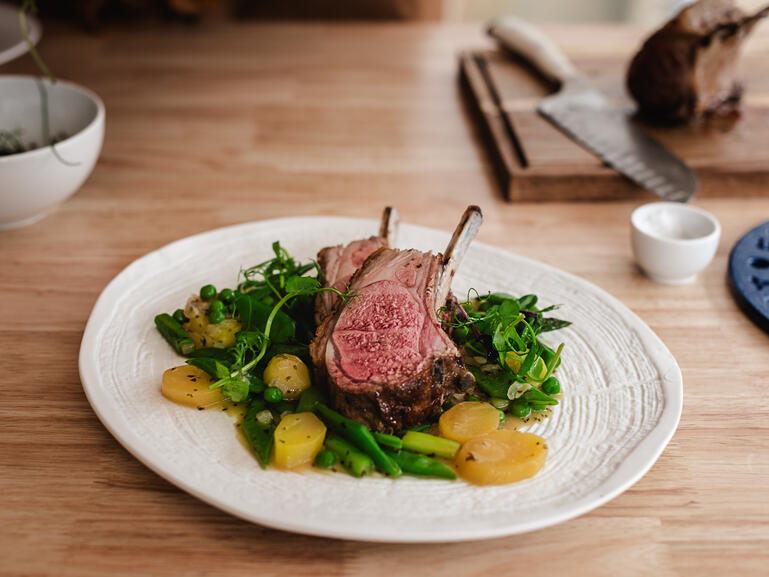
(530, 43)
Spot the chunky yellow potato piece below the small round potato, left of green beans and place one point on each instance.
(298, 438)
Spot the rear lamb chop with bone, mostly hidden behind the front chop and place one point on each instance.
(338, 263)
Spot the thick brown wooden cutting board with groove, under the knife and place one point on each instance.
(534, 161)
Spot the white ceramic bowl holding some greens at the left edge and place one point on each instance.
(33, 183)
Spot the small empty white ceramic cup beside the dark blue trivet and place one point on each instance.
(672, 242)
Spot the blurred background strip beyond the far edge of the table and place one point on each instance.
(94, 13)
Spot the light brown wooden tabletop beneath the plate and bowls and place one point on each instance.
(226, 123)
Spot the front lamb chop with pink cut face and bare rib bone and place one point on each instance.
(386, 359)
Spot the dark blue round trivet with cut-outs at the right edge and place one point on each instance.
(749, 274)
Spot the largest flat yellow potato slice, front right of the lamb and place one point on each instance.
(501, 457)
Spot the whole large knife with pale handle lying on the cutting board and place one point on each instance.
(587, 117)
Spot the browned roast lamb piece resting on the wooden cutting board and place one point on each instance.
(689, 67)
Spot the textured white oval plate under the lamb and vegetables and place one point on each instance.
(623, 396)
